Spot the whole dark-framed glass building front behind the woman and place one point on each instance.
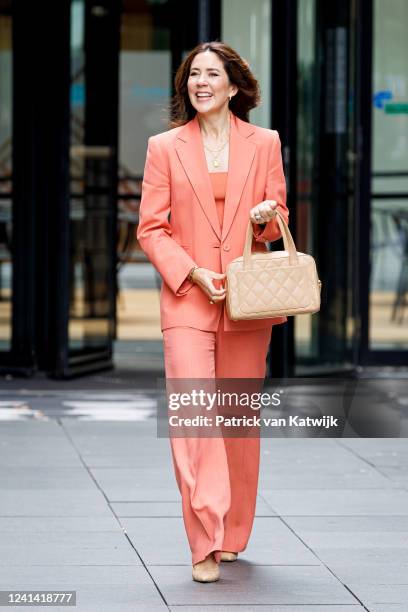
(72, 275)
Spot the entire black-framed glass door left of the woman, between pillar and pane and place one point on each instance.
(93, 179)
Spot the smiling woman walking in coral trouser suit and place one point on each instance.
(203, 180)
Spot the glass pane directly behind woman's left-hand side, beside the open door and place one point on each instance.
(144, 94)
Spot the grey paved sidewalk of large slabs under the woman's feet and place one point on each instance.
(89, 503)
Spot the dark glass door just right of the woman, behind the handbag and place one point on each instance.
(325, 198)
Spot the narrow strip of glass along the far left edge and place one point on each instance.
(6, 186)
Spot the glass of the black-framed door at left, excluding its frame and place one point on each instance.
(89, 325)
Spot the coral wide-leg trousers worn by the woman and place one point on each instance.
(217, 477)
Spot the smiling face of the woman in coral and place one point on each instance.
(208, 84)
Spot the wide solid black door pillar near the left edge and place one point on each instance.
(39, 183)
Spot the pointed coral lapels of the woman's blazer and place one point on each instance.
(190, 151)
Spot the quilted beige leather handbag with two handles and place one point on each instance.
(273, 283)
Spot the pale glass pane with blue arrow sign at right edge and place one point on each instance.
(389, 204)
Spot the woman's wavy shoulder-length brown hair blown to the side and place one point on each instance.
(239, 73)
